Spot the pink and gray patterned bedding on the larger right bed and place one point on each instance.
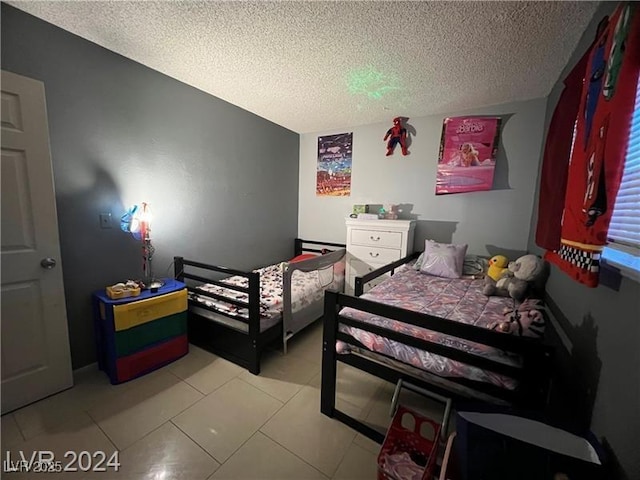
(461, 300)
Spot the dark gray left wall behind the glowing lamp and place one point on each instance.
(222, 182)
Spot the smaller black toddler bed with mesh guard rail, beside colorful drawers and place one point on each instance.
(237, 316)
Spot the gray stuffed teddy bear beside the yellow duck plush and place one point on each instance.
(526, 273)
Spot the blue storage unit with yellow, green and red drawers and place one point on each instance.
(139, 334)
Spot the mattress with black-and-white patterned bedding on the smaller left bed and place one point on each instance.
(306, 289)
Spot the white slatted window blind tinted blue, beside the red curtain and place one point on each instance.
(624, 230)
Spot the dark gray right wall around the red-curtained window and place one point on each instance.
(604, 326)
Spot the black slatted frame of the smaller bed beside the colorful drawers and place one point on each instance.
(243, 348)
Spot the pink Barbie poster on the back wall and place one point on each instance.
(467, 154)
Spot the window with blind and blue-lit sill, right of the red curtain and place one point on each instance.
(623, 250)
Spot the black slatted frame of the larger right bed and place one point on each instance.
(534, 378)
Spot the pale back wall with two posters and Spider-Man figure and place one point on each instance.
(485, 220)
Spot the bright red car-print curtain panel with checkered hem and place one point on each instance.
(598, 155)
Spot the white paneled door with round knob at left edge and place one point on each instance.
(36, 361)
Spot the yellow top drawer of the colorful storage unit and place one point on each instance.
(131, 314)
